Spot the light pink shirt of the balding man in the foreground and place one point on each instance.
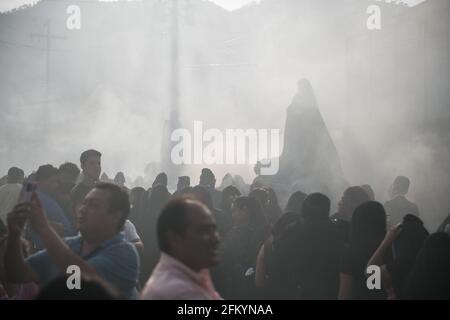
(173, 280)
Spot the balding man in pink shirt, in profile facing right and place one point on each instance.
(188, 240)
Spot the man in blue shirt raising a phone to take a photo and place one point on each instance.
(99, 251)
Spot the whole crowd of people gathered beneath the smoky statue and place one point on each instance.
(233, 241)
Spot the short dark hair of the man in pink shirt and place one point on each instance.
(174, 217)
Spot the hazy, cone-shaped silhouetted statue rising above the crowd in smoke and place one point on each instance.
(309, 158)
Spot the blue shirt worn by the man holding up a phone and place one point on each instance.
(116, 261)
